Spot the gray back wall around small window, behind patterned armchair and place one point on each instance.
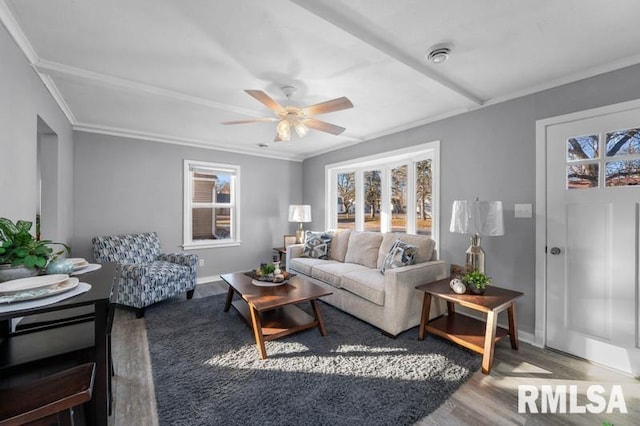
(127, 185)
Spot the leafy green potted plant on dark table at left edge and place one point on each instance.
(21, 255)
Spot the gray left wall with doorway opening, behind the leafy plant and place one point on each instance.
(24, 98)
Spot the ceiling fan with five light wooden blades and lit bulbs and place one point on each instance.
(301, 119)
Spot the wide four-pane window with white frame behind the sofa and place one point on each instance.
(392, 192)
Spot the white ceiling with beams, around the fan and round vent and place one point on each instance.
(171, 70)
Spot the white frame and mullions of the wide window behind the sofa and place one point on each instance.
(385, 161)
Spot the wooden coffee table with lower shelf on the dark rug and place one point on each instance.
(271, 311)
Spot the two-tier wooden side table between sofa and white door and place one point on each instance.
(469, 332)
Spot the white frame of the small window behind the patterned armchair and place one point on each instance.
(234, 205)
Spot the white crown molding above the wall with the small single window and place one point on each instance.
(195, 143)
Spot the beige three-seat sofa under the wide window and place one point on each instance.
(352, 272)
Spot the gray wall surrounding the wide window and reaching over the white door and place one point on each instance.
(488, 153)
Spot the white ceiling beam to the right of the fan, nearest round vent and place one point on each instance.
(351, 26)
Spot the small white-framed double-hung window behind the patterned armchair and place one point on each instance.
(211, 208)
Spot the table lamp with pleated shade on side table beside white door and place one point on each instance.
(476, 218)
